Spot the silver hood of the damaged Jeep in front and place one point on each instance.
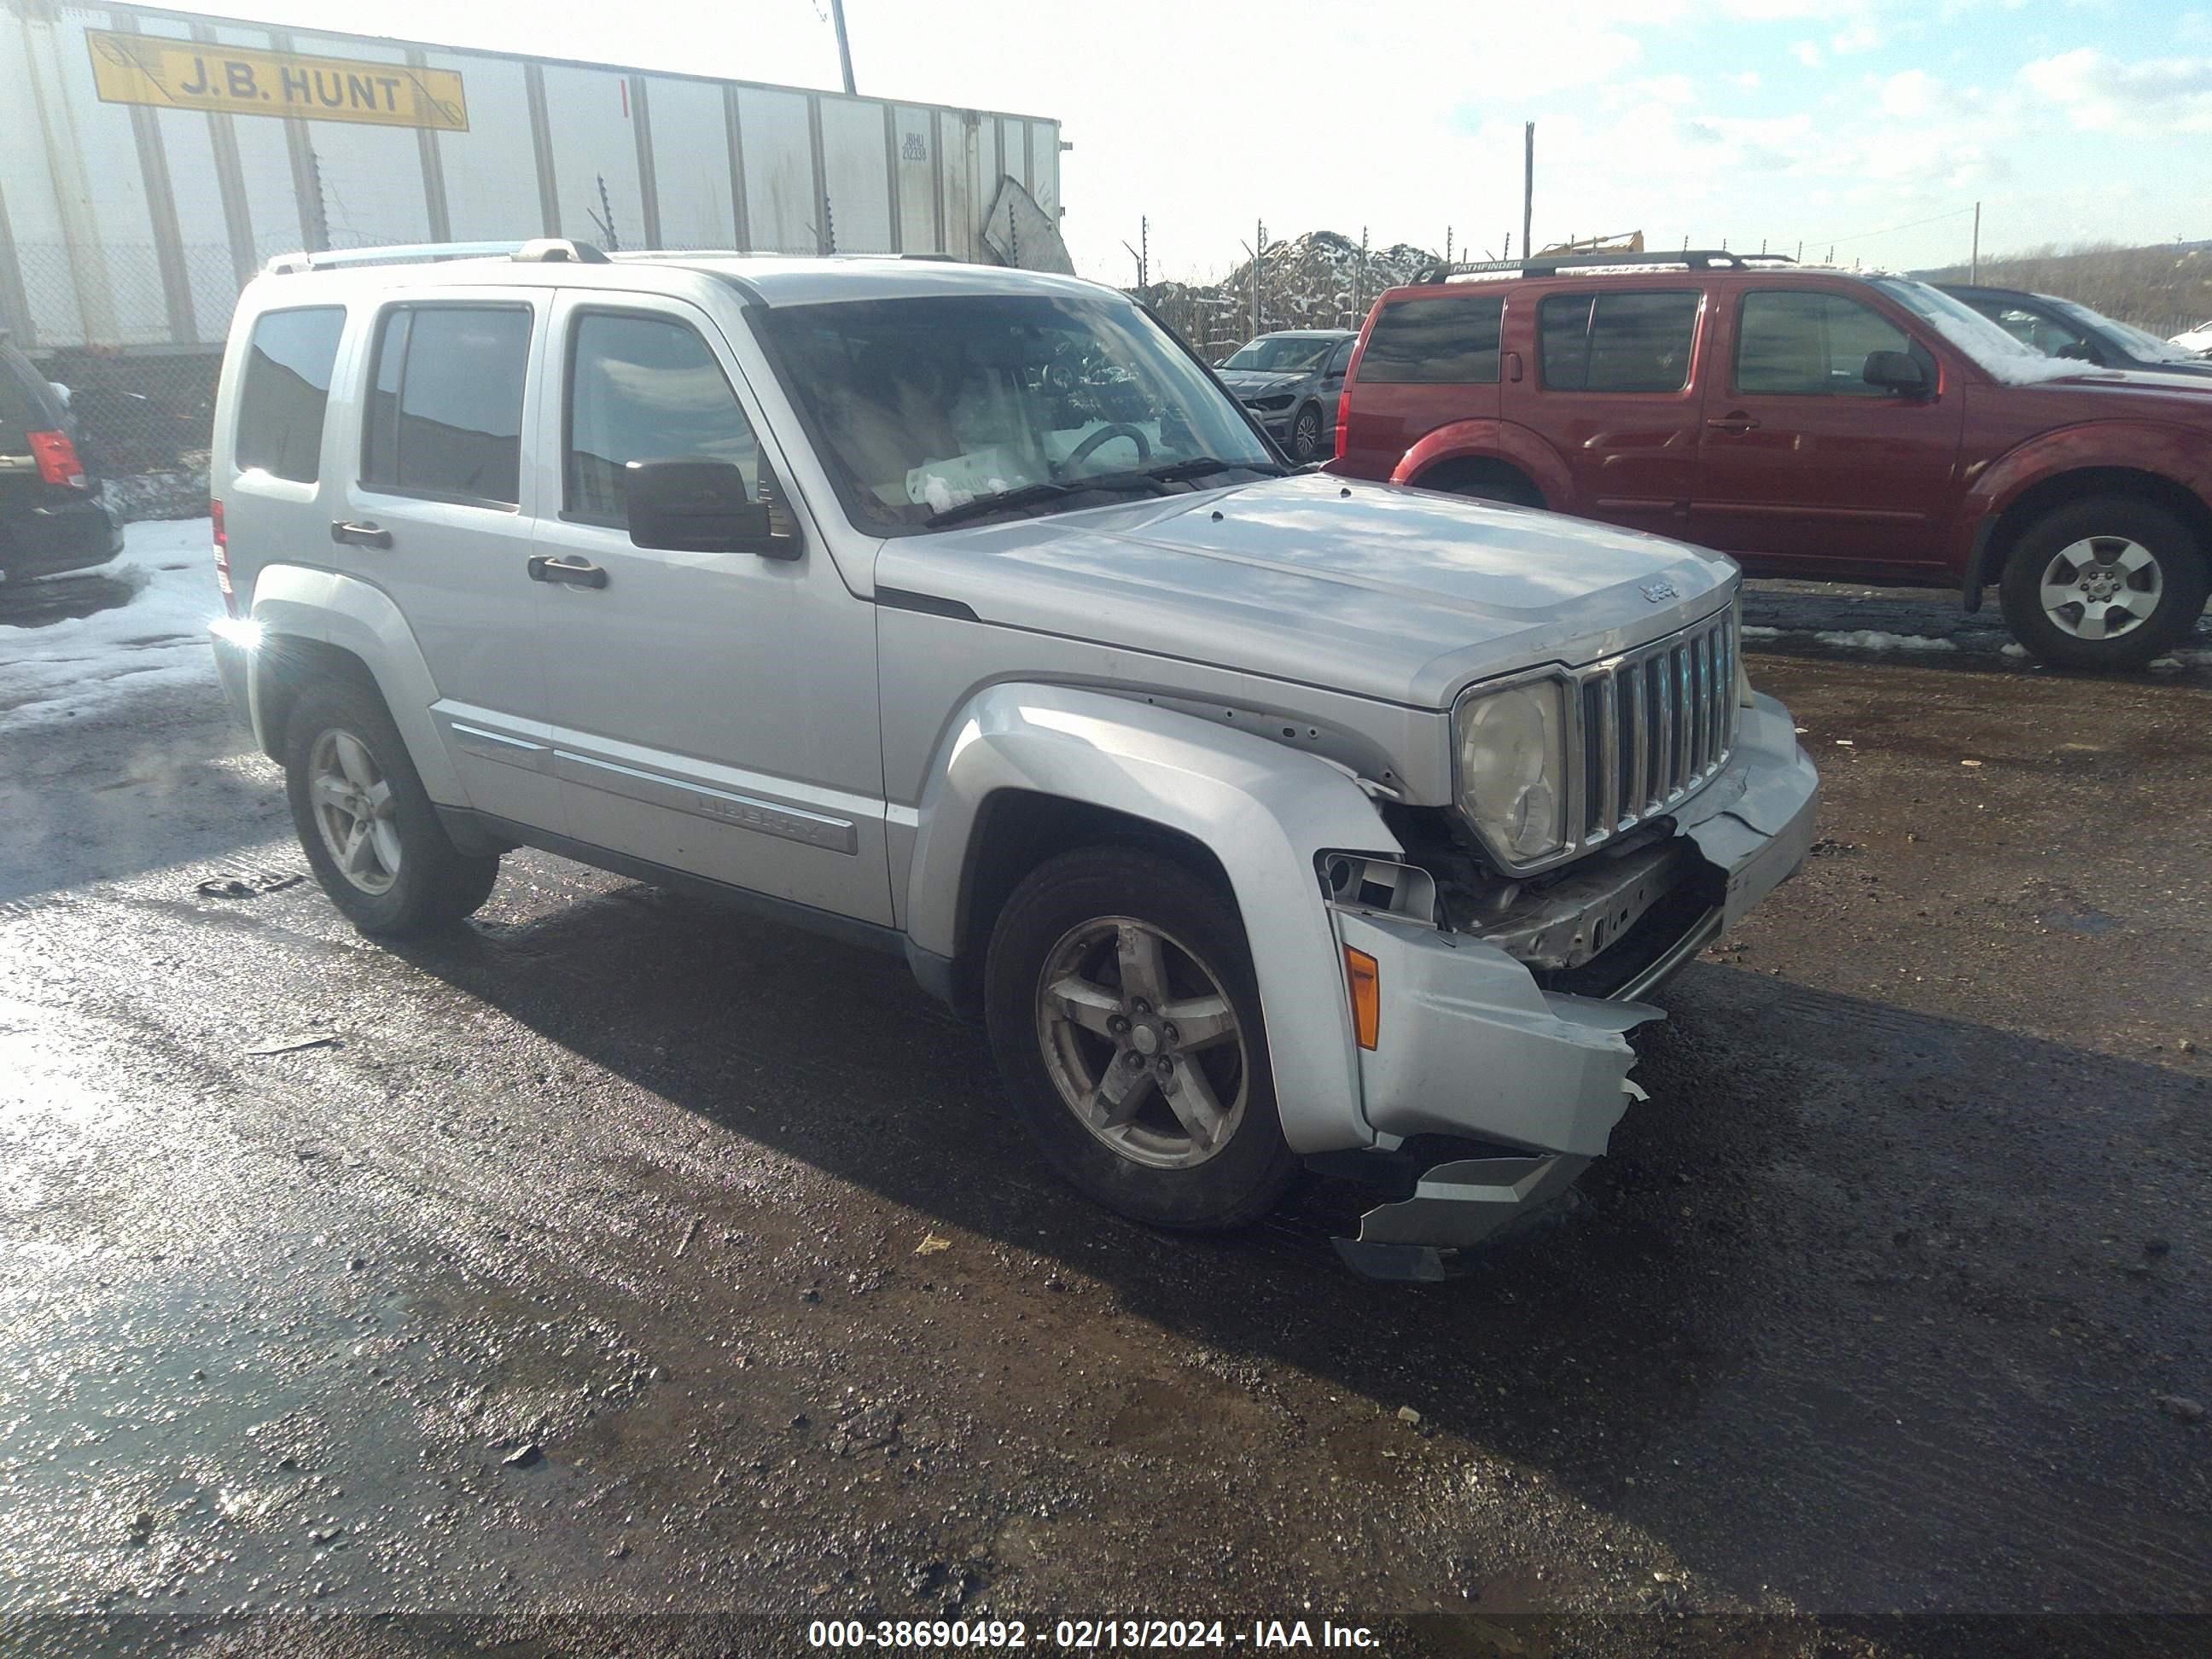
(1375, 589)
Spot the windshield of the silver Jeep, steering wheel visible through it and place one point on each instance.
(924, 406)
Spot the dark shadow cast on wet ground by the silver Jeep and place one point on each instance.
(1839, 1319)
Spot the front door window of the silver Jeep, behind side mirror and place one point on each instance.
(647, 388)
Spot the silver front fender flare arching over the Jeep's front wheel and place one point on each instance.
(1262, 808)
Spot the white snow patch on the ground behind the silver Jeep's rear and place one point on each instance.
(154, 640)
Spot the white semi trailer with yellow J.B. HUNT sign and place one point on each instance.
(154, 160)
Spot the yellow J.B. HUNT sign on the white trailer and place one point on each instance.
(238, 81)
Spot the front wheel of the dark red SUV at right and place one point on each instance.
(2136, 572)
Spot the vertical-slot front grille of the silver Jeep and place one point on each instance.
(1656, 727)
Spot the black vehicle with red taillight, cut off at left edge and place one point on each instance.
(50, 503)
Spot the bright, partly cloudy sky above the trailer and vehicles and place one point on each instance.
(1868, 127)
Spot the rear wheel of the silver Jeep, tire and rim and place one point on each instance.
(344, 753)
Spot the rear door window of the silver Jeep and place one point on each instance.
(446, 404)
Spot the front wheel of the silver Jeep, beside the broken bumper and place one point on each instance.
(1083, 917)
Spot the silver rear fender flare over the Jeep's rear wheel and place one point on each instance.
(302, 603)
